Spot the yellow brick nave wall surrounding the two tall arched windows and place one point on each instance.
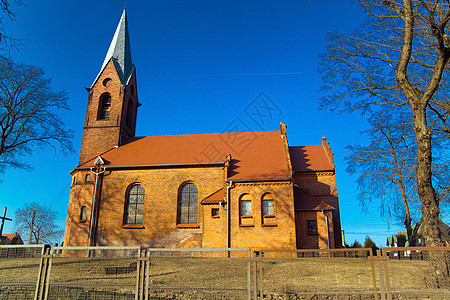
(160, 212)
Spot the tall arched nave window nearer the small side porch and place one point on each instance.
(187, 204)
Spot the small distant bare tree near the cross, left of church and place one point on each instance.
(44, 227)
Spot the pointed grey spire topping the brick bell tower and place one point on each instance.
(119, 51)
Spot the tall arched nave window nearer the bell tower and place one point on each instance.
(134, 207)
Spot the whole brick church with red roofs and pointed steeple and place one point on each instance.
(194, 190)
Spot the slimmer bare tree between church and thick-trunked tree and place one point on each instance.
(387, 167)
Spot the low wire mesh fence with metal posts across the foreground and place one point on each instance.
(40, 272)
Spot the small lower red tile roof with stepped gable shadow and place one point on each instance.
(308, 158)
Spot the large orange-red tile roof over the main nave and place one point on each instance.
(255, 155)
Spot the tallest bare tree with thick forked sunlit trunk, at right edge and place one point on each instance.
(398, 58)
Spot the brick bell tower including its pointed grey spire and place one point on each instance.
(112, 102)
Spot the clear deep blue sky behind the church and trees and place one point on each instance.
(199, 65)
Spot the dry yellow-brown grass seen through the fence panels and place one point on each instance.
(282, 274)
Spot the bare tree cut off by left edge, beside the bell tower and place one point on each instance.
(28, 114)
